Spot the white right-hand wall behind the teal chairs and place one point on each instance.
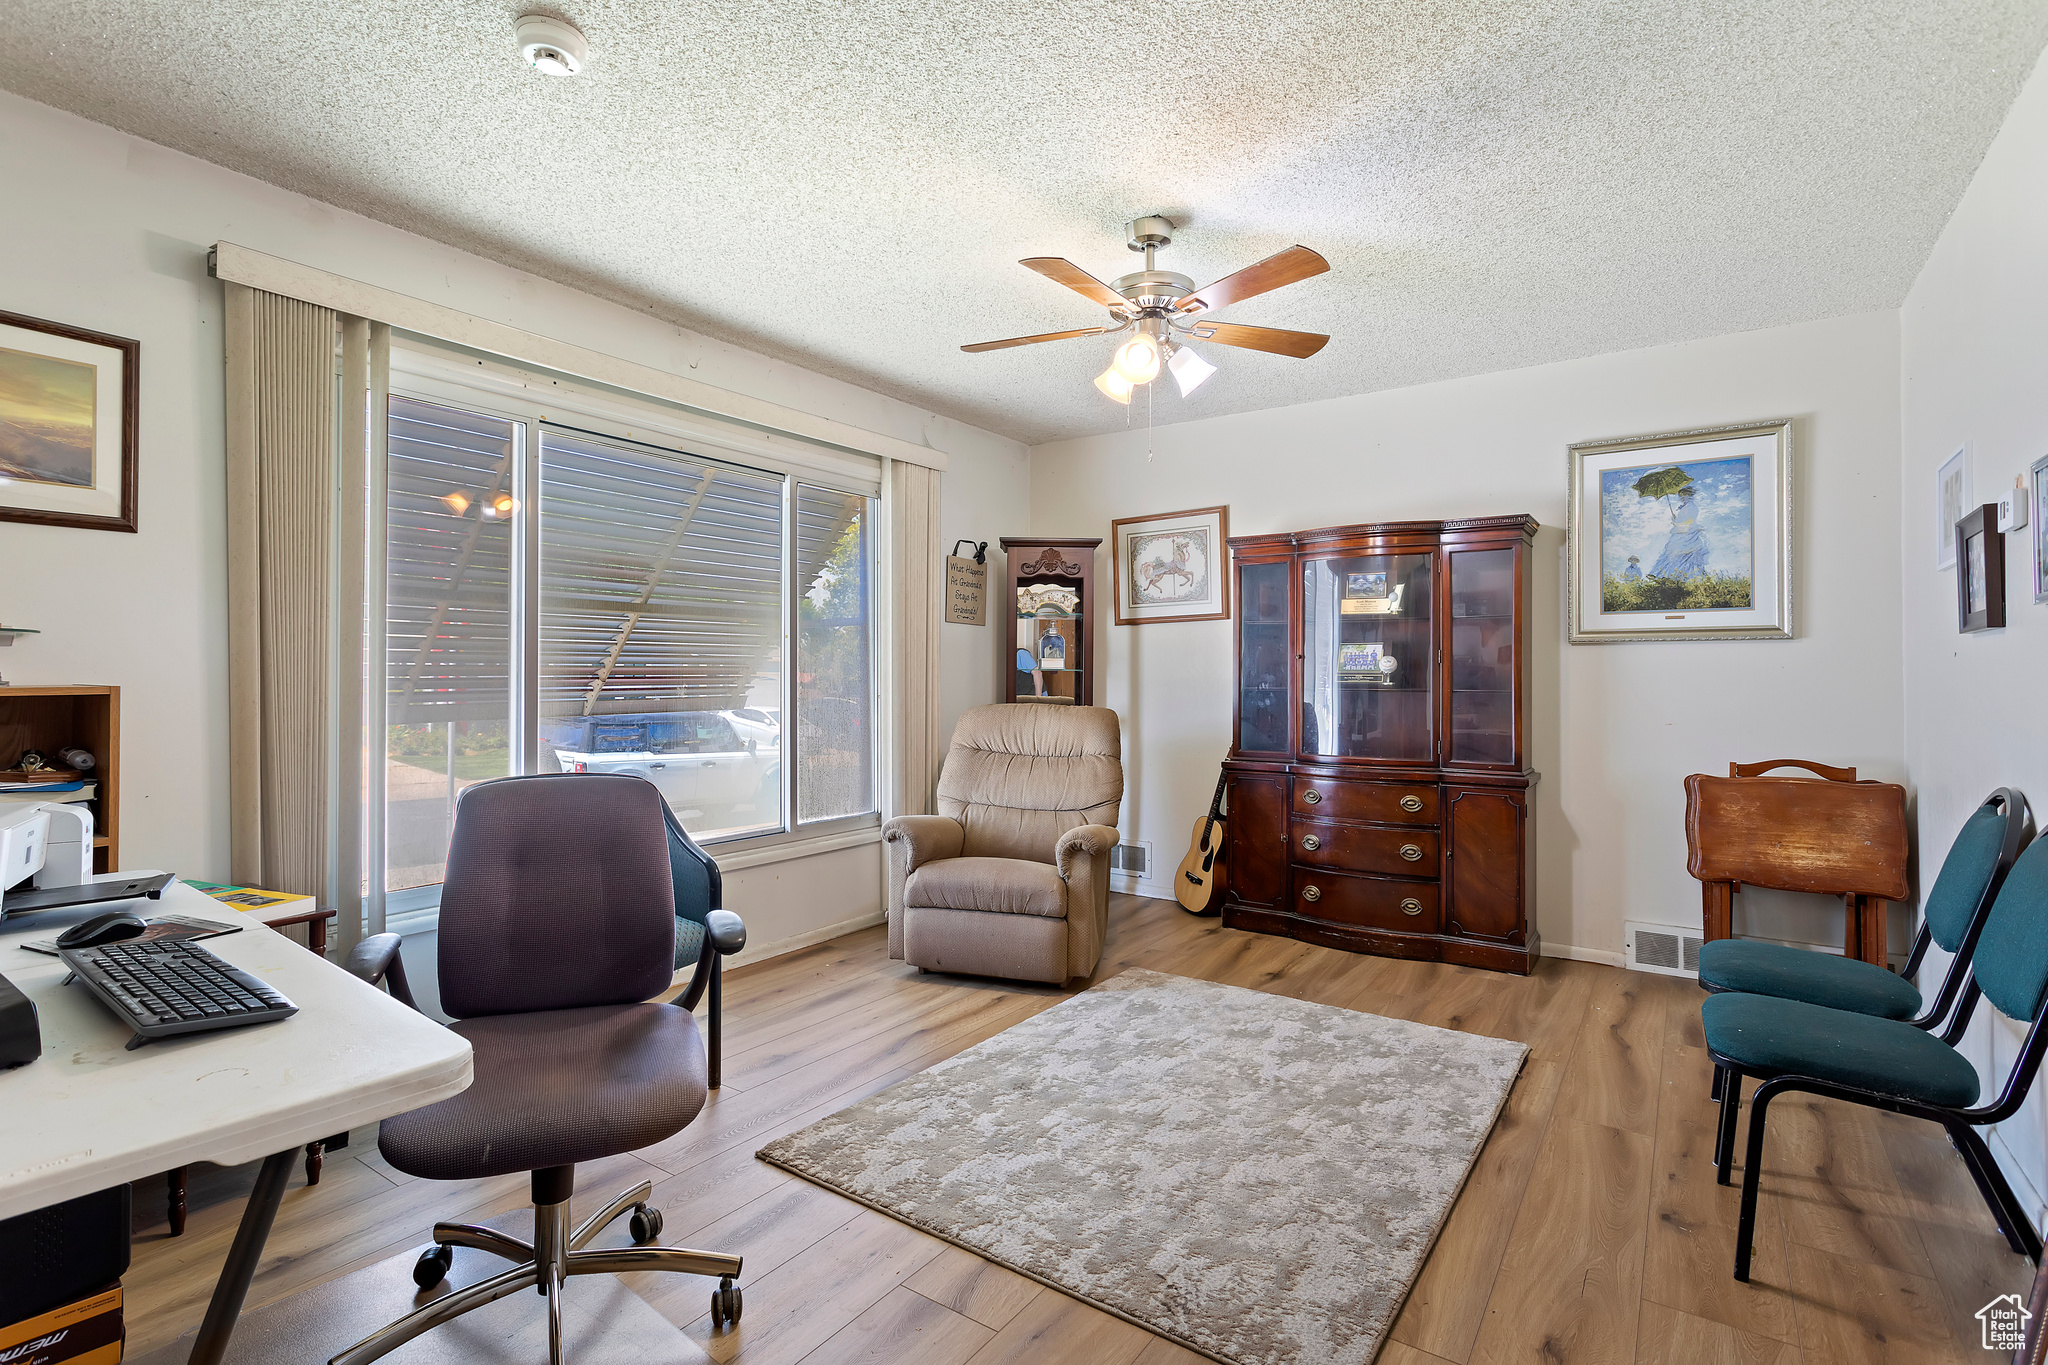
(1975, 373)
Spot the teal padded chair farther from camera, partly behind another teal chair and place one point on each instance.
(1953, 918)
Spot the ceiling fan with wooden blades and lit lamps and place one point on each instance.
(1162, 304)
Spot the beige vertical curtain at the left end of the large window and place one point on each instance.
(296, 603)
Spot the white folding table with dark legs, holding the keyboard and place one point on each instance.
(91, 1114)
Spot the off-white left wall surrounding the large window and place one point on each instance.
(110, 232)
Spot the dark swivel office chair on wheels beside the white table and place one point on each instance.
(558, 926)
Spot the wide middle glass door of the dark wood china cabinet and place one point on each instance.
(1367, 658)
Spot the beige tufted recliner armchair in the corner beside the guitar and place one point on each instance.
(1013, 875)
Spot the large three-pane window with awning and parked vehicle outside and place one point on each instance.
(572, 601)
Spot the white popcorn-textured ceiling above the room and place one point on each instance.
(849, 183)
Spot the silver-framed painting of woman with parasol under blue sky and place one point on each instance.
(1682, 535)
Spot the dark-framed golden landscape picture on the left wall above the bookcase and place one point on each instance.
(69, 404)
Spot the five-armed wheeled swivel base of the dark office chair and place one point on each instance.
(546, 1264)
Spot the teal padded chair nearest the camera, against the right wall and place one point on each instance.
(1889, 1063)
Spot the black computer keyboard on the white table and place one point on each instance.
(167, 987)
